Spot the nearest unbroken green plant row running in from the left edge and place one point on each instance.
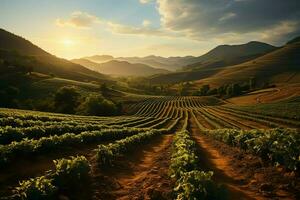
(27, 147)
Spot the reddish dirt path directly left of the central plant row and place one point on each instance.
(141, 175)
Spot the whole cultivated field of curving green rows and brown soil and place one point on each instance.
(165, 148)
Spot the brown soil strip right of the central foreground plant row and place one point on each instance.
(245, 175)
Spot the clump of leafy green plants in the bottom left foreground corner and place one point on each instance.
(68, 175)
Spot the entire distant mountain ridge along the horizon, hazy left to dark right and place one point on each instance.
(223, 55)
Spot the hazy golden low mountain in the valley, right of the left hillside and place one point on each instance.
(120, 68)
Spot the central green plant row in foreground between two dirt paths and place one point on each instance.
(190, 183)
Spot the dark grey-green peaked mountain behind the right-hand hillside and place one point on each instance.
(226, 55)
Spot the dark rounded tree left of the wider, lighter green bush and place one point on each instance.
(66, 99)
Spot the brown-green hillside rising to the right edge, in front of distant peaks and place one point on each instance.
(279, 66)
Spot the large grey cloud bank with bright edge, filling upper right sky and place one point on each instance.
(212, 19)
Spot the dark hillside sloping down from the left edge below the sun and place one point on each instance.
(17, 52)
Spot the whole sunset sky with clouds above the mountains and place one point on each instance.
(77, 28)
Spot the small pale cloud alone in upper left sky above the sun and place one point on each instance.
(79, 19)
